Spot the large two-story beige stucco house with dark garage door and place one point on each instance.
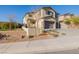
(41, 20)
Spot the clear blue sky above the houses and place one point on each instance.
(19, 10)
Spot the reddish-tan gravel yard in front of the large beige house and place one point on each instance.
(20, 35)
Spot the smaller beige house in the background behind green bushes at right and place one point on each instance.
(62, 18)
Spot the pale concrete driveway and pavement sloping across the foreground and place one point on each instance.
(63, 42)
